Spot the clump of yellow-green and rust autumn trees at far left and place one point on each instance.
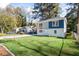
(11, 18)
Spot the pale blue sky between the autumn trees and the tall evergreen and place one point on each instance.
(28, 7)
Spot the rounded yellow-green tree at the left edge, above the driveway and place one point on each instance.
(7, 23)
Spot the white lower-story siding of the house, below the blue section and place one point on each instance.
(50, 32)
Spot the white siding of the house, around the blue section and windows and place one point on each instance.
(61, 32)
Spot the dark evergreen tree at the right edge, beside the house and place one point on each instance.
(73, 18)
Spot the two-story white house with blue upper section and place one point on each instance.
(52, 27)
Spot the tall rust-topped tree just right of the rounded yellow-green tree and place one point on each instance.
(20, 16)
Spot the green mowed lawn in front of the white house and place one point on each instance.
(41, 46)
